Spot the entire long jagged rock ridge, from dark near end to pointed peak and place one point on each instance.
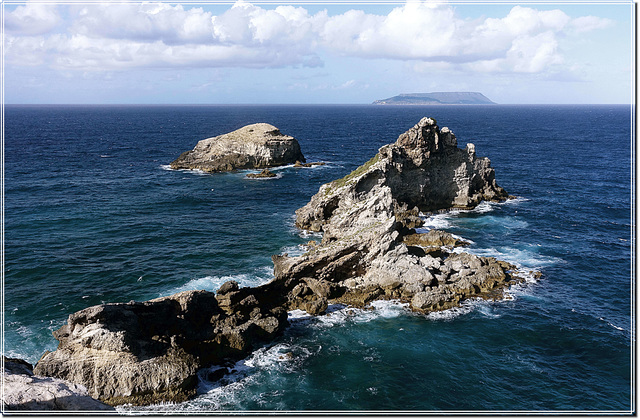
(148, 352)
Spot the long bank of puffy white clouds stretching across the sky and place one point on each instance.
(121, 36)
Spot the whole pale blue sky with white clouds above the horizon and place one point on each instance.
(315, 53)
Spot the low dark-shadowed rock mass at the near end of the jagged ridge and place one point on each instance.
(148, 352)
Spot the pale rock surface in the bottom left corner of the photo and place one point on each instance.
(24, 391)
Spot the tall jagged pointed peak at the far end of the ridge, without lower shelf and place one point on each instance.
(423, 170)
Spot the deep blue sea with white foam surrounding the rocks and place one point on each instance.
(92, 215)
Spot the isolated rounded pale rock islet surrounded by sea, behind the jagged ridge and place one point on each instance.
(251, 147)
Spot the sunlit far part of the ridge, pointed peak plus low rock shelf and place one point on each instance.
(370, 249)
